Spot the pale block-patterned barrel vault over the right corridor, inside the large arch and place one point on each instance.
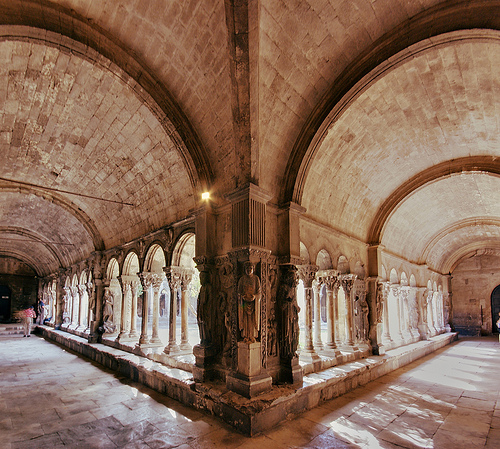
(397, 134)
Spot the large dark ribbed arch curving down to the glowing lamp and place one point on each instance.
(67, 28)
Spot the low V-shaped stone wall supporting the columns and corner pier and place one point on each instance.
(249, 416)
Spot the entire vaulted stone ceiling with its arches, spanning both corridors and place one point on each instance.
(380, 118)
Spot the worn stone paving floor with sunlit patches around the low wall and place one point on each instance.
(52, 398)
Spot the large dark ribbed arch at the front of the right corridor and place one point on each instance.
(449, 21)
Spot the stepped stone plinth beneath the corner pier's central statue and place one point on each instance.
(249, 381)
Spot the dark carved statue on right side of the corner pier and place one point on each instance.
(289, 314)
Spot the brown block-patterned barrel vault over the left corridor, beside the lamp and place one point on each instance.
(86, 162)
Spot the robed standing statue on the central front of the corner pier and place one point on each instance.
(249, 296)
